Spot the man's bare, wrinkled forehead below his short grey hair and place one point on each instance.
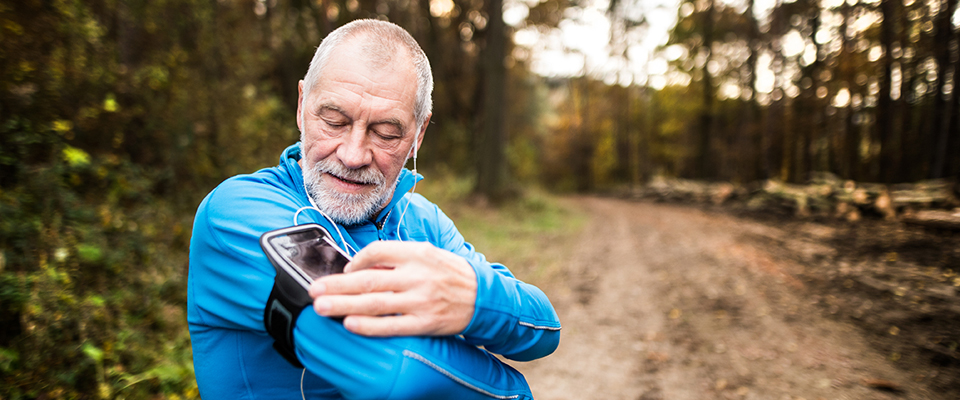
(361, 78)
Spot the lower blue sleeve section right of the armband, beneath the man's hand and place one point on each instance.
(402, 367)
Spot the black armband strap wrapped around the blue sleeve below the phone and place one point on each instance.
(286, 301)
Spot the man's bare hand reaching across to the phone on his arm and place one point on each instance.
(400, 289)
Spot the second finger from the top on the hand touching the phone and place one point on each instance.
(368, 281)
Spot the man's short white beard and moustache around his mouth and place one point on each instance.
(345, 208)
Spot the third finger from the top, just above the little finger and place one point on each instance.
(371, 304)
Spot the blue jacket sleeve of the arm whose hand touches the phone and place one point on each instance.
(511, 318)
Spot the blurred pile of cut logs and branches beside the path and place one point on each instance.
(932, 203)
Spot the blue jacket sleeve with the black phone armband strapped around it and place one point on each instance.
(231, 278)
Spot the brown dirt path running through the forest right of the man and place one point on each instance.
(668, 302)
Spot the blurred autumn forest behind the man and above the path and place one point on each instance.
(118, 116)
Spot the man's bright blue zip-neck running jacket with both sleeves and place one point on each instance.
(230, 279)
